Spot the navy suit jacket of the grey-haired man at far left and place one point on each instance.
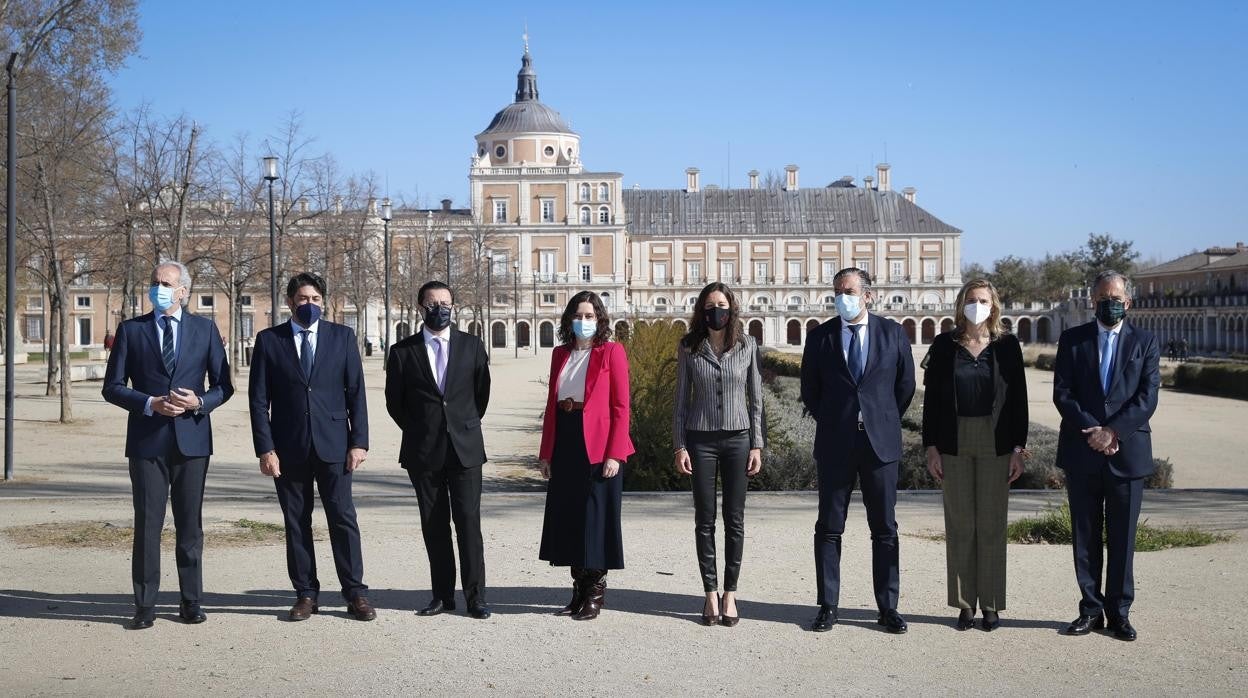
(202, 366)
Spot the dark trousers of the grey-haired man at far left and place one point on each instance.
(153, 484)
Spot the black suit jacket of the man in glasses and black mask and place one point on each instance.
(432, 421)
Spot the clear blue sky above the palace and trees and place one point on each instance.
(1029, 125)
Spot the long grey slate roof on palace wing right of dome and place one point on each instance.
(759, 212)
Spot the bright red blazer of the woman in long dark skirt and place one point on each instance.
(607, 404)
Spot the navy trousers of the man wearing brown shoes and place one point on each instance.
(295, 495)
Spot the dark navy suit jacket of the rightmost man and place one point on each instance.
(1128, 409)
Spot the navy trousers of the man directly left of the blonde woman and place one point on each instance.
(879, 483)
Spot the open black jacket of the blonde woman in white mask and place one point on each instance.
(1009, 400)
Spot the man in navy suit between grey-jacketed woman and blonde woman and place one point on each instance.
(858, 376)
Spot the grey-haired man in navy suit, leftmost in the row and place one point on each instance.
(168, 356)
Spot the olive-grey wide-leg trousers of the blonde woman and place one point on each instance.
(977, 504)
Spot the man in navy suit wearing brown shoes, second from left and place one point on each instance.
(310, 425)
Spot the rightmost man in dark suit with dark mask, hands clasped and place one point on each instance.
(1105, 385)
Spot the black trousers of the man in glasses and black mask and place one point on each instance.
(446, 495)
